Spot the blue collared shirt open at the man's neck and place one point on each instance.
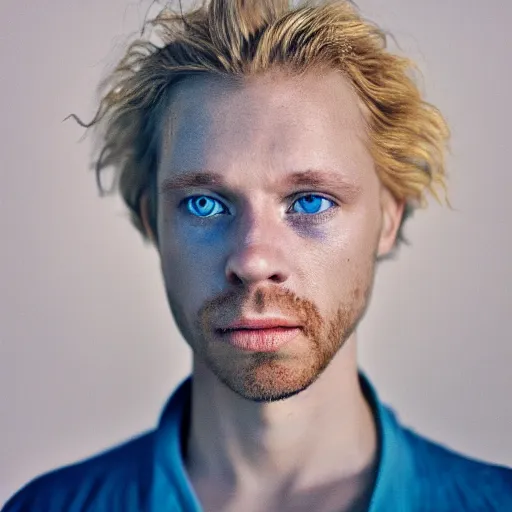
(147, 473)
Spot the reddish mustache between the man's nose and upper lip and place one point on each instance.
(234, 303)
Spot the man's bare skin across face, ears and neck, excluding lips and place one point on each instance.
(287, 430)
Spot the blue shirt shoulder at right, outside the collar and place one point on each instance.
(450, 480)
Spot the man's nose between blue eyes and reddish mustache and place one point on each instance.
(259, 255)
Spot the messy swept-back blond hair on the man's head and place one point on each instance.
(239, 38)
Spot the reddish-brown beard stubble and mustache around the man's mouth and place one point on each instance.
(268, 377)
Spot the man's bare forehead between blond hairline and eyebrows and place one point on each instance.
(272, 121)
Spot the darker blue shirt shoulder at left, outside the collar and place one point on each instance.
(117, 479)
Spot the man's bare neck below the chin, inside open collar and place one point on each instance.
(322, 435)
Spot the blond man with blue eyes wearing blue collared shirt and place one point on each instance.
(272, 155)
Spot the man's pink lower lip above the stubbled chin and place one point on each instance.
(260, 340)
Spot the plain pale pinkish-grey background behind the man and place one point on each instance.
(89, 350)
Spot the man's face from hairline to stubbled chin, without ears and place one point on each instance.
(289, 227)
